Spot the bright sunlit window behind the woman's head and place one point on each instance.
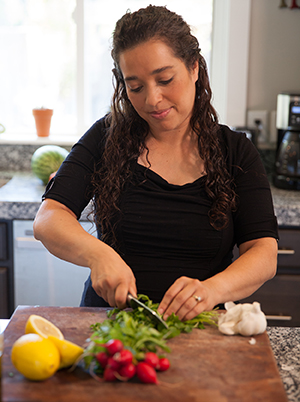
(56, 54)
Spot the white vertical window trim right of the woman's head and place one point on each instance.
(229, 64)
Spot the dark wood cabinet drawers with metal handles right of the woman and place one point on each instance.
(280, 297)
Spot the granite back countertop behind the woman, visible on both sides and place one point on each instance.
(20, 198)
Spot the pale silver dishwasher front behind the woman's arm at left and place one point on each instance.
(41, 278)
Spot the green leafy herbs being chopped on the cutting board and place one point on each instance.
(139, 333)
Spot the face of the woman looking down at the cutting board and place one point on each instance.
(159, 86)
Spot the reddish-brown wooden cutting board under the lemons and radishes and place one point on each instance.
(206, 366)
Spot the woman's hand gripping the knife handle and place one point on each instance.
(112, 279)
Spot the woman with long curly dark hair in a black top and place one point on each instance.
(173, 190)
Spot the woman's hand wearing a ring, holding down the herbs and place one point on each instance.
(186, 298)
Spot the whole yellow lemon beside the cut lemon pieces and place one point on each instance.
(35, 357)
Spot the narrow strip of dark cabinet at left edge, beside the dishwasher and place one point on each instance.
(6, 269)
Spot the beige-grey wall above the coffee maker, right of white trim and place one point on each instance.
(274, 54)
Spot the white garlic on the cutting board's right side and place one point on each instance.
(245, 319)
